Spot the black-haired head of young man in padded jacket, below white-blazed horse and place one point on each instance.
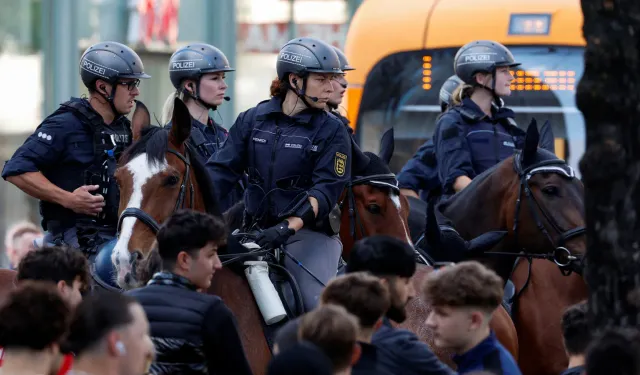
(188, 244)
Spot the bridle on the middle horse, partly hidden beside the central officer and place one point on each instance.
(384, 180)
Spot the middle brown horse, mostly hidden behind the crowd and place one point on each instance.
(381, 209)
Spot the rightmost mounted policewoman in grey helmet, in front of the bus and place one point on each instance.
(476, 134)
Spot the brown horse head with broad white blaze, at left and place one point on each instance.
(155, 179)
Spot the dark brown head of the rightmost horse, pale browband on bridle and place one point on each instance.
(535, 197)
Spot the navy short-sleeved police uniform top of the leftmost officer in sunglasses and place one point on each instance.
(74, 147)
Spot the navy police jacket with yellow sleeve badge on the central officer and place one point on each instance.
(287, 159)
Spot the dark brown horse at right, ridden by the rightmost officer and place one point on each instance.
(537, 199)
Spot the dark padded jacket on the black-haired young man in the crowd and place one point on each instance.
(193, 332)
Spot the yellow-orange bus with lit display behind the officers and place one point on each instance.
(403, 52)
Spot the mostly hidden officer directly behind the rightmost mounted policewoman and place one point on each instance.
(420, 174)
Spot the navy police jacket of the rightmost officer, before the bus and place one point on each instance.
(468, 142)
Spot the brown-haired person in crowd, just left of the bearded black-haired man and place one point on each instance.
(365, 297)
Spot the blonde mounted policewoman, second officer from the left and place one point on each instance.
(197, 71)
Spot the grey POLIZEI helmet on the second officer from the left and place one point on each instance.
(194, 60)
